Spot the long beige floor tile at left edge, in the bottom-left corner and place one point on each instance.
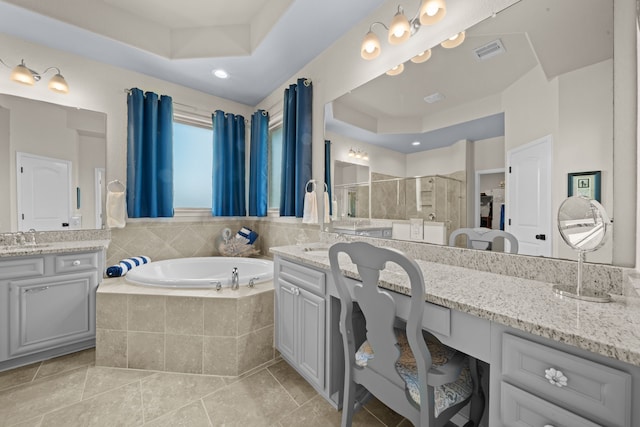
(39, 397)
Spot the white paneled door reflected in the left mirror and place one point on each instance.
(44, 192)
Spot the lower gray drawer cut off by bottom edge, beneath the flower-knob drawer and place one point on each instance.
(521, 409)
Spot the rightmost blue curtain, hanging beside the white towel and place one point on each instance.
(296, 151)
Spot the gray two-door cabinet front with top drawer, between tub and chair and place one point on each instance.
(300, 319)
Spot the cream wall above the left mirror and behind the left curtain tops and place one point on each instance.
(100, 87)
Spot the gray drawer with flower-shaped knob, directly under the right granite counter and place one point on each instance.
(594, 390)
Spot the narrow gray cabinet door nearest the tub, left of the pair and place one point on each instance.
(286, 320)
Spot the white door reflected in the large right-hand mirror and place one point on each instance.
(528, 205)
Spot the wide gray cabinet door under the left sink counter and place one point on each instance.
(47, 312)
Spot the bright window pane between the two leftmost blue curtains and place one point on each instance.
(192, 166)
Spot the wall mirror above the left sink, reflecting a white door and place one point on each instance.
(53, 161)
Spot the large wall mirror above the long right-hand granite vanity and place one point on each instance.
(532, 73)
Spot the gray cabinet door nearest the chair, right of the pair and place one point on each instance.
(311, 316)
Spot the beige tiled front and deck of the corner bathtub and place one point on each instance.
(189, 331)
